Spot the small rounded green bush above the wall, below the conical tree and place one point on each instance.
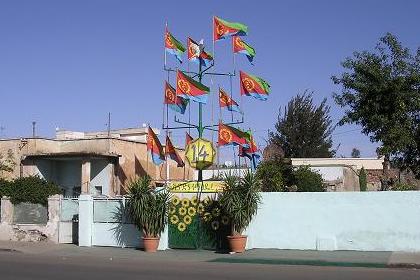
(307, 180)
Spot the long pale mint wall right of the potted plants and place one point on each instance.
(363, 221)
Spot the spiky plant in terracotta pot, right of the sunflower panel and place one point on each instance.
(239, 201)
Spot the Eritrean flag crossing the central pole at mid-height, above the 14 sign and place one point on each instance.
(188, 88)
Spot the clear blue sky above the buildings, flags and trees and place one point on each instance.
(67, 64)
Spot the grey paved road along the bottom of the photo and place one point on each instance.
(19, 266)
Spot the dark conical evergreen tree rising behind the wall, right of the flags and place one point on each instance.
(304, 130)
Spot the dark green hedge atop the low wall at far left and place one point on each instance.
(31, 189)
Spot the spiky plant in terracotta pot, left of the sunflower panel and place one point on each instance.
(148, 209)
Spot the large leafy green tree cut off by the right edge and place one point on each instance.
(381, 92)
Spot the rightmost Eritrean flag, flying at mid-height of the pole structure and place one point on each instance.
(253, 86)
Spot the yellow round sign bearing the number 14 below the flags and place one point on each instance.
(200, 153)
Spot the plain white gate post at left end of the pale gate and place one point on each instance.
(85, 220)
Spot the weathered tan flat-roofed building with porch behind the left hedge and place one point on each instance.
(94, 162)
